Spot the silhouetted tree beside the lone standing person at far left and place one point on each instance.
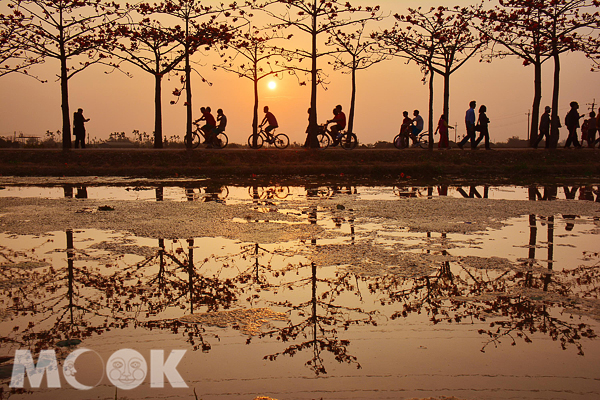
(74, 32)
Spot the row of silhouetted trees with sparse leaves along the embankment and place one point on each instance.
(162, 39)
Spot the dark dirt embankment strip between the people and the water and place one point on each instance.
(526, 164)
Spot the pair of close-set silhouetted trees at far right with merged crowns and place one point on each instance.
(535, 31)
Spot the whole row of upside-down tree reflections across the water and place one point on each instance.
(518, 301)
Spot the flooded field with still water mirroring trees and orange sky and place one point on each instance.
(301, 292)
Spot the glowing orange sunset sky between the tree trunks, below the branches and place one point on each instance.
(116, 103)
